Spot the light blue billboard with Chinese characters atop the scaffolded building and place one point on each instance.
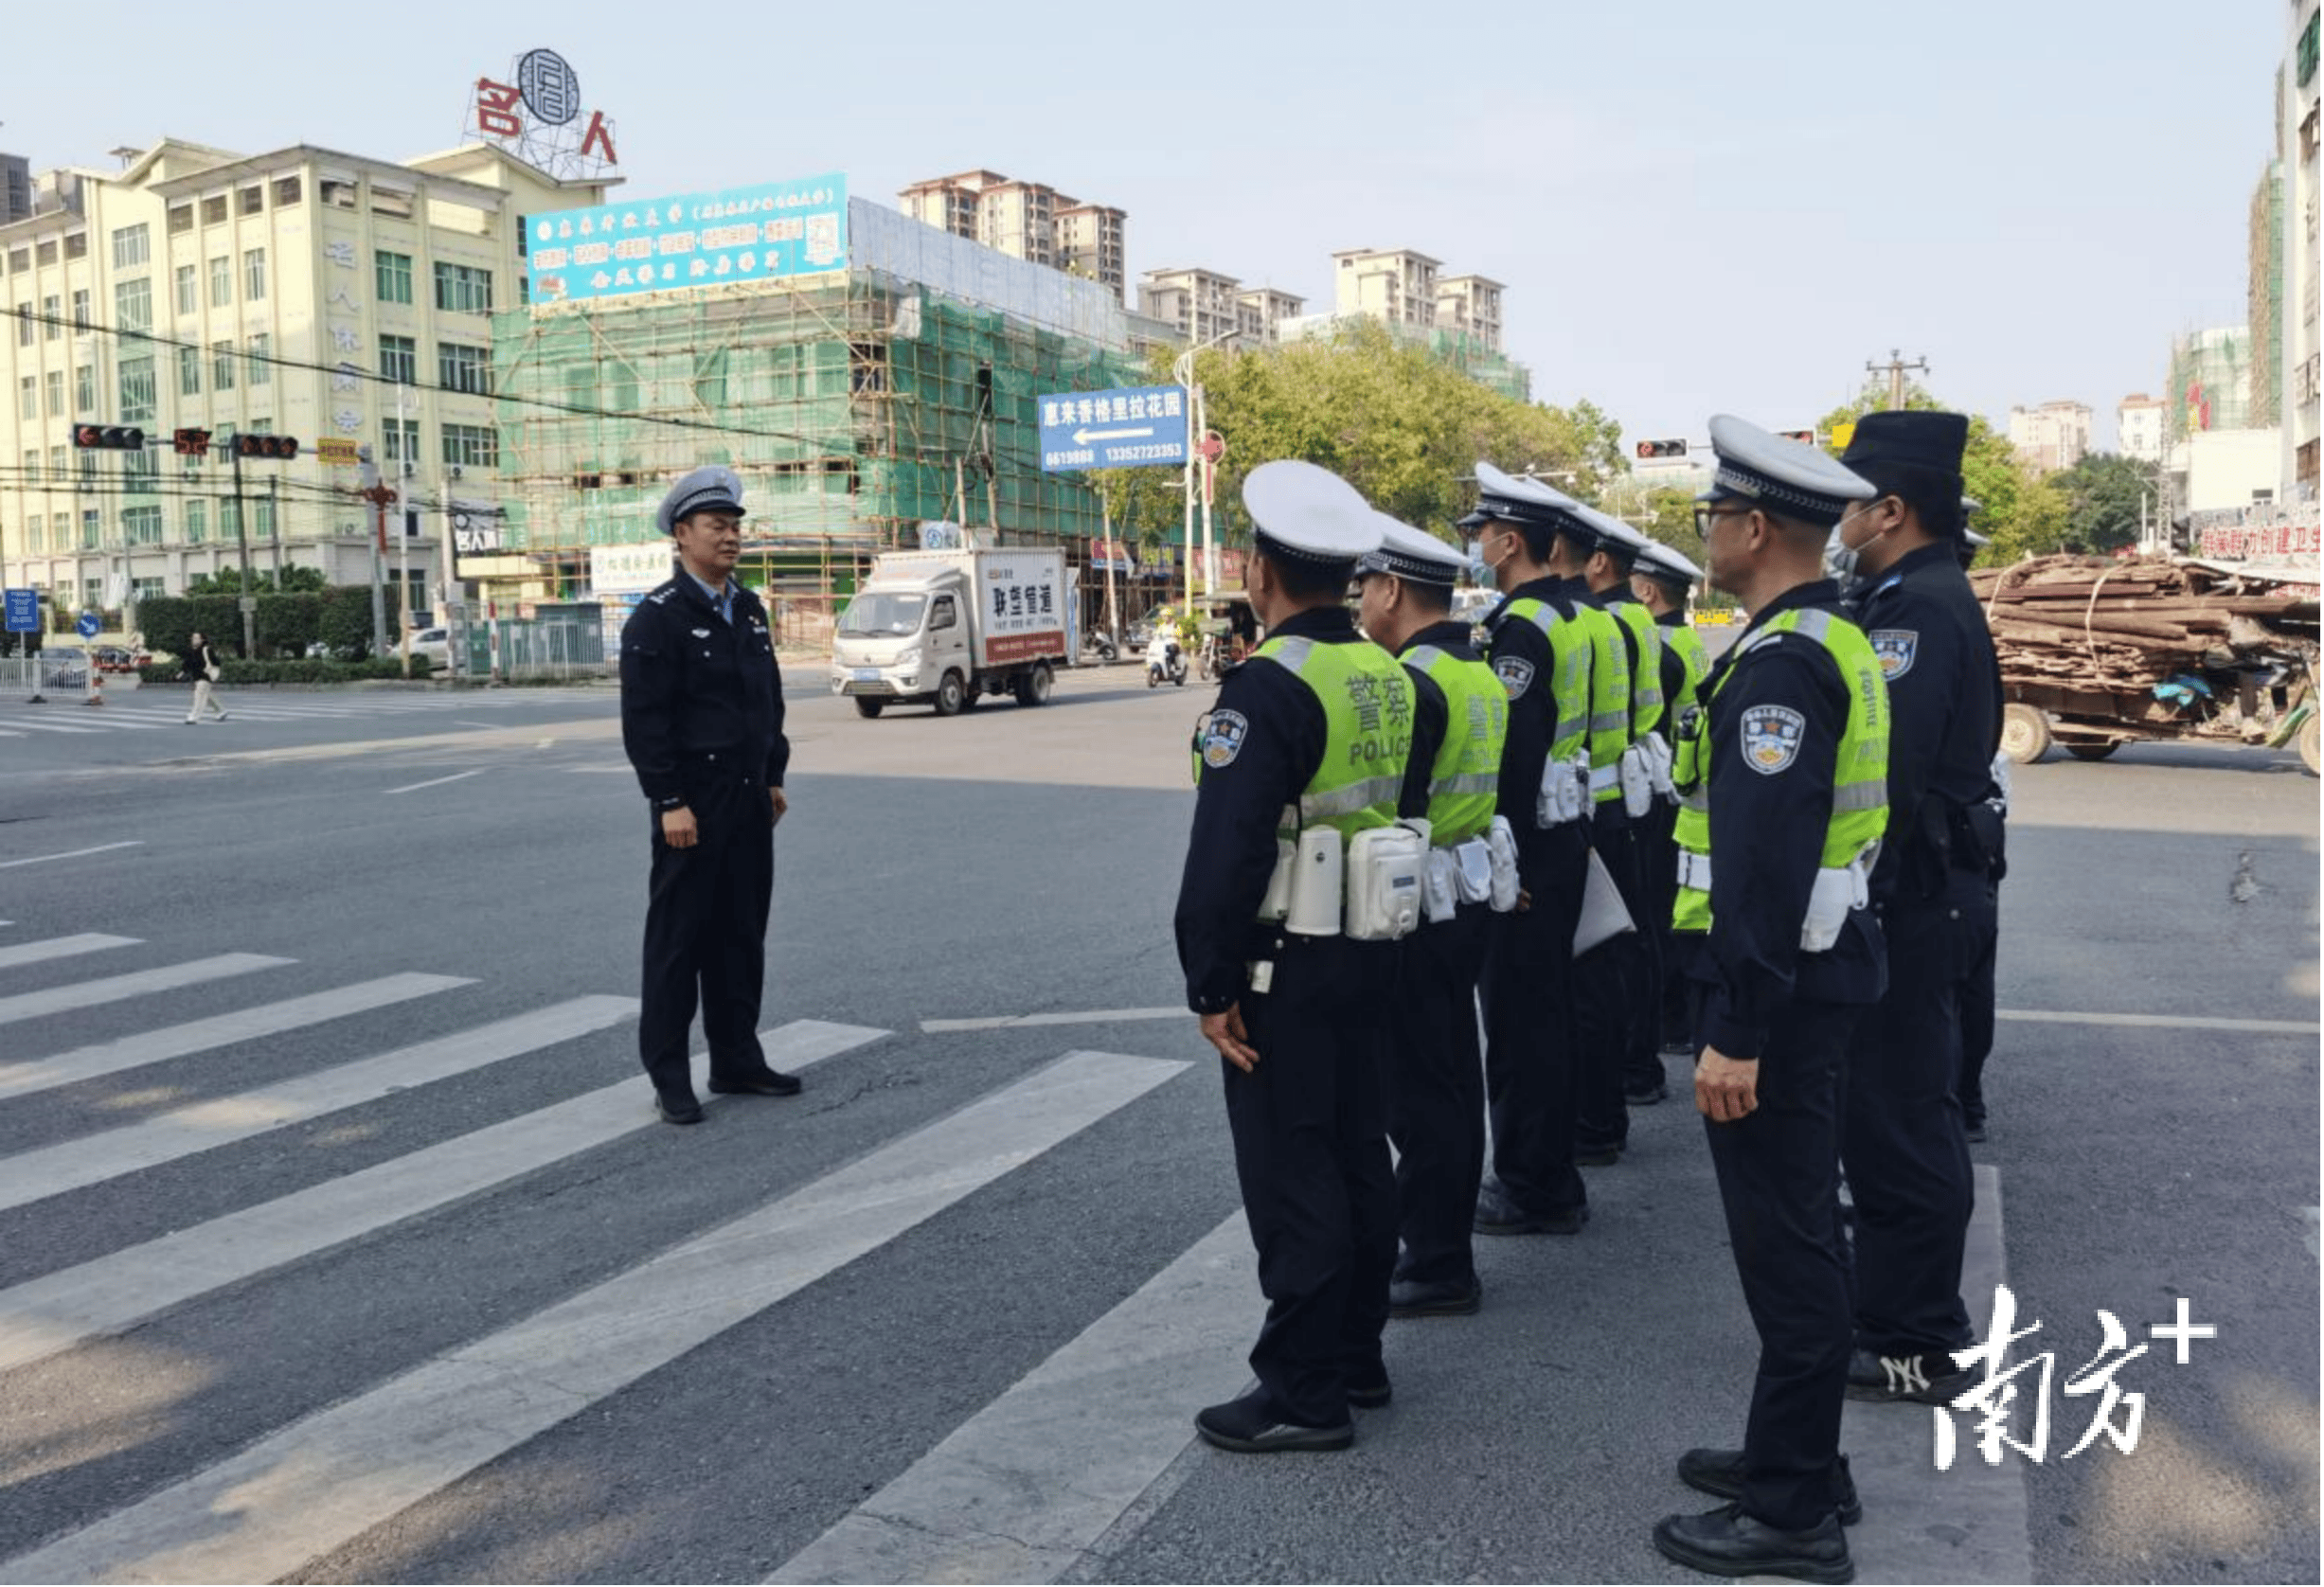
(666, 245)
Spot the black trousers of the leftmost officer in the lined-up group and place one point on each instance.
(1312, 1156)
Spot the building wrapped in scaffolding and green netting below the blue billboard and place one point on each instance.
(856, 405)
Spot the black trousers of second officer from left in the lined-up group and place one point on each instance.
(1437, 1098)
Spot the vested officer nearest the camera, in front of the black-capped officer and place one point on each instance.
(1784, 789)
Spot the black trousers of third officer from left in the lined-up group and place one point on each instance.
(1528, 996)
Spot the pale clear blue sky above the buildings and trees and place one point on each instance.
(1695, 208)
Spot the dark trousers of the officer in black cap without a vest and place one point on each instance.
(1905, 1144)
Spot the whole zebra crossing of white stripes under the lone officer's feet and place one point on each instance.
(366, 1451)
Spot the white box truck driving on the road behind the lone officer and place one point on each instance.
(952, 626)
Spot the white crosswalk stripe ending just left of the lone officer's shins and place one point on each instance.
(203, 1126)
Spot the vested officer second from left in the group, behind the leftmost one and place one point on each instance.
(1435, 1077)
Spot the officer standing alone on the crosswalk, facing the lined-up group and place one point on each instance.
(703, 724)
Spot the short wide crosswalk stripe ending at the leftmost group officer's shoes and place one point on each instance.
(1038, 1477)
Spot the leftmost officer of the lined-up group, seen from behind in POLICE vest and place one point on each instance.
(1310, 735)
